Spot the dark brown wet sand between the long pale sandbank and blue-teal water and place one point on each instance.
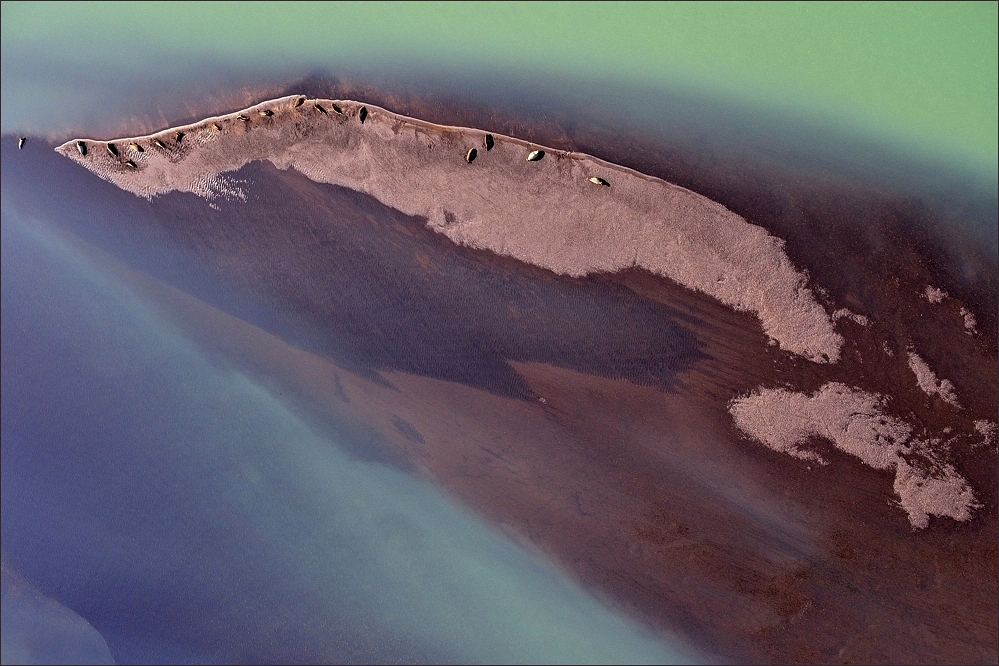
(589, 417)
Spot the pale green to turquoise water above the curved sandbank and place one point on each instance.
(921, 76)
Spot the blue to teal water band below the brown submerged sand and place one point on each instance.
(189, 516)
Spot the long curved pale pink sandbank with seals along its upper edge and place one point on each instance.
(556, 212)
